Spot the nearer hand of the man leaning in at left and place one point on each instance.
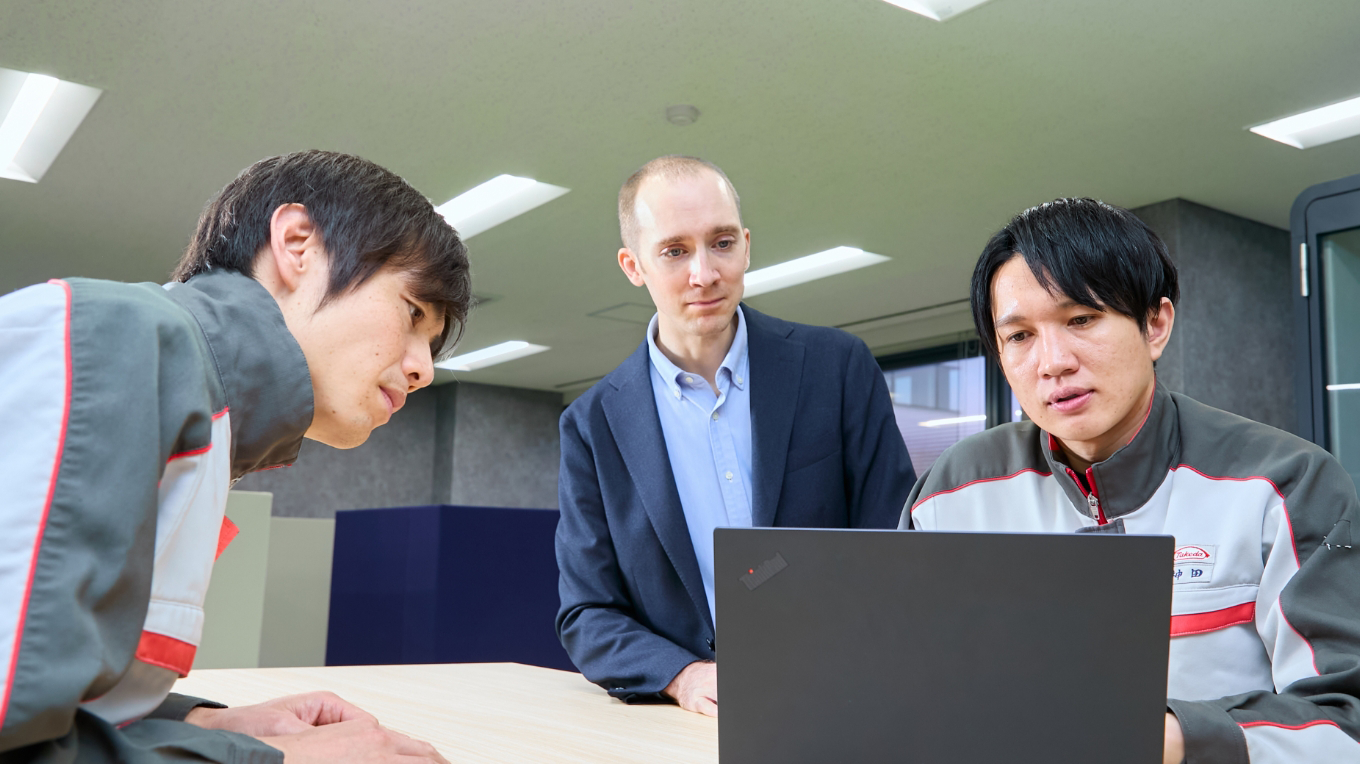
(360, 742)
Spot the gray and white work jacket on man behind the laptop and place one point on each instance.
(1265, 623)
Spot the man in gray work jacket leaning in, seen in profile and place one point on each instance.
(309, 304)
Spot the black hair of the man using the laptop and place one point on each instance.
(1094, 254)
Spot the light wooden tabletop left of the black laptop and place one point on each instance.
(488, 712)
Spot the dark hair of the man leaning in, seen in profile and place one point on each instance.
(368, 218)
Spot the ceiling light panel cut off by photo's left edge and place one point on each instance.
(41, 114)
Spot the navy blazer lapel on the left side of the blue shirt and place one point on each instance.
(632, 413)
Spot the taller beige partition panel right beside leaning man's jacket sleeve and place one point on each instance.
(235, 606)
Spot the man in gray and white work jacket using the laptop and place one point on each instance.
(1076, 301)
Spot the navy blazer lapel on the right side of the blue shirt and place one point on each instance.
(776, 377)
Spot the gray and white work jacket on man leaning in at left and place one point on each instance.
(127, 411)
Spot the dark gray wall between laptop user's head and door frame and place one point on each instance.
(1233, 342)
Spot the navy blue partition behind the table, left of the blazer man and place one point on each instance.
(445, 585)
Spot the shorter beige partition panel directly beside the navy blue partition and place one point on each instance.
(297, 600)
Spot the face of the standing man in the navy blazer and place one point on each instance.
(692, 252)
